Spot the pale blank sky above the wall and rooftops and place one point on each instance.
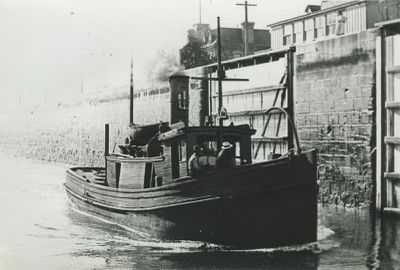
(50, 49)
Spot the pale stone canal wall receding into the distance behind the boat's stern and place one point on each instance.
(74, 134)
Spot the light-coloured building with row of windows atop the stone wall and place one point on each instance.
(319, 22)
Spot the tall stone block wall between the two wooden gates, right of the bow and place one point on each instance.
(334, 110)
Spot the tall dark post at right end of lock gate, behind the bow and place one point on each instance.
(290, 101)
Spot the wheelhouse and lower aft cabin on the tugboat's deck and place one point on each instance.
(125, 171)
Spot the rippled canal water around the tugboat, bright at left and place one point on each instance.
(40, 230)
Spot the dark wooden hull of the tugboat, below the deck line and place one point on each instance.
(268, 205)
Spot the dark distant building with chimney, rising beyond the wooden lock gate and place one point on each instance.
(232, 39)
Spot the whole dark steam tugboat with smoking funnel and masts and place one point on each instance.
(148, 186)
